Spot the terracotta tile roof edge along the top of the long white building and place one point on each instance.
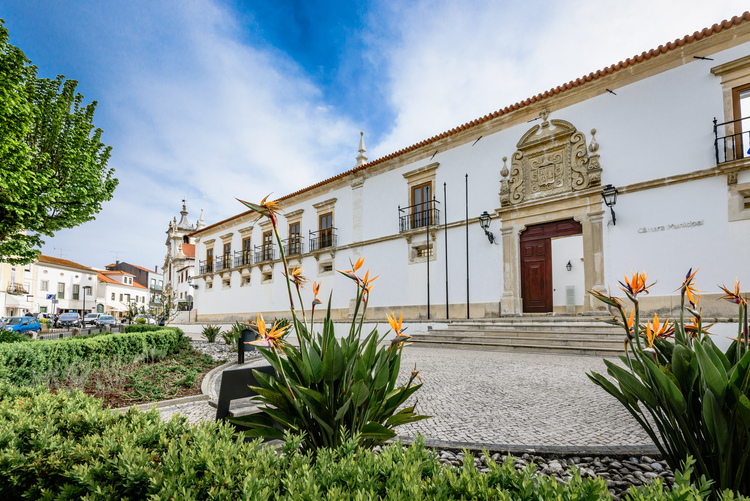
(644, 56)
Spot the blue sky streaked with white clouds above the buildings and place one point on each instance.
(214, 99)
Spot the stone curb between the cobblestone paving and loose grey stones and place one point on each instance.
(564, 450)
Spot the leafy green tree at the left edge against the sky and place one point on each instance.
(53, 165)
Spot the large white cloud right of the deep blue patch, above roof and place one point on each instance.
(456, 61)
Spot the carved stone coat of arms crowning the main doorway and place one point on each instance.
(551, 159)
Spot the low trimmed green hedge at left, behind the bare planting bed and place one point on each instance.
(21, 362)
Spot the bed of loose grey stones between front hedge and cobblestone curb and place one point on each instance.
(618, 473)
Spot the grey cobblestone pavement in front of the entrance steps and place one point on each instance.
(519, 399)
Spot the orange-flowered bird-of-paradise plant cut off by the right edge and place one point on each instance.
(689, 396)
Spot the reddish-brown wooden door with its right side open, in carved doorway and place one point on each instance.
(536, 262)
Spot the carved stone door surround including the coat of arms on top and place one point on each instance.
(553, 177)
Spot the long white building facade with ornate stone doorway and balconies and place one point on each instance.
(664, 128)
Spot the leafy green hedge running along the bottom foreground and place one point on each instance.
(65, 446)
